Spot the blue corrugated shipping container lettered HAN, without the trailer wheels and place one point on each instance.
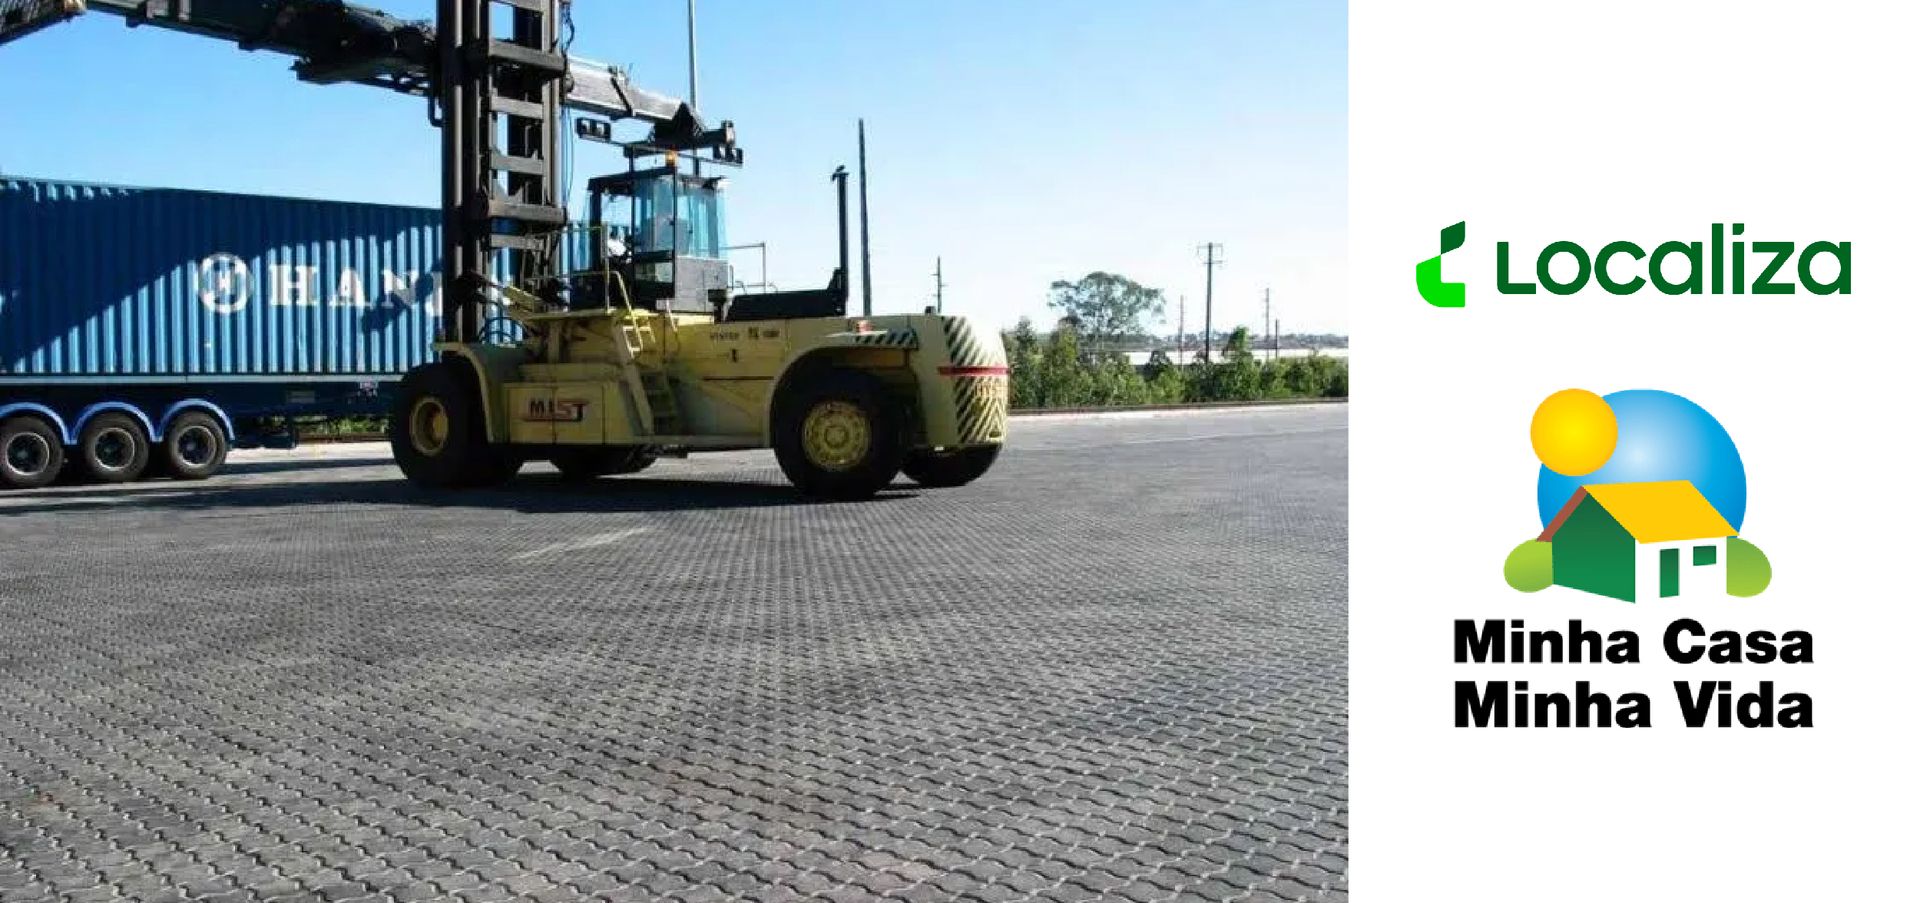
(110, 281)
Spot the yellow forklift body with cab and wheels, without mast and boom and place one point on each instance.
(646, 353)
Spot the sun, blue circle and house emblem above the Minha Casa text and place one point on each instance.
(1641, 499)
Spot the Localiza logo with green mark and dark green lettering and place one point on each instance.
(1723, 264)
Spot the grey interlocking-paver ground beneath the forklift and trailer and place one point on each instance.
(1113, 670)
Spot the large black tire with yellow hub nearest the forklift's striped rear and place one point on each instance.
(857, 435)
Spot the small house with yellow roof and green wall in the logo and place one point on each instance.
(1641, 541)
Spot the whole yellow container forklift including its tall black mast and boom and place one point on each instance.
(610, 343)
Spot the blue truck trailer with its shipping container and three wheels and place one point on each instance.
(147, 331)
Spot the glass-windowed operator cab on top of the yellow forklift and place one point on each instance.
(658, 233)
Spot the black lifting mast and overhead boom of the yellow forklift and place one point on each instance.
(496, 89)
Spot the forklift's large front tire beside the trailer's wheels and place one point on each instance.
(439, 431)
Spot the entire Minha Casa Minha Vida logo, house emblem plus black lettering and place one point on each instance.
(1641, 499)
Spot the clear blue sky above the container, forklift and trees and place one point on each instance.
(1020, 141)
